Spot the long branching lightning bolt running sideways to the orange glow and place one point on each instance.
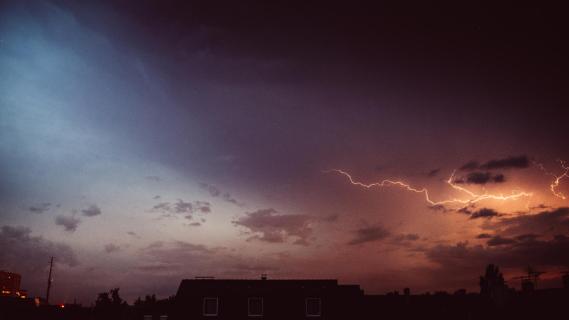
(472, 197)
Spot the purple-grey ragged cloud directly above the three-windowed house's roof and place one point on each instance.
(270, 226)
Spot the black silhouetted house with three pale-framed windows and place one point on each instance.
(266, 299)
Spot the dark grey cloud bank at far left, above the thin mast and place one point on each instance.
(23, 252)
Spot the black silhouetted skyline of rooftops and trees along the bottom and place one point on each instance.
(213, 299)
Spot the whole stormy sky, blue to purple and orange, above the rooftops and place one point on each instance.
(142, 142)
